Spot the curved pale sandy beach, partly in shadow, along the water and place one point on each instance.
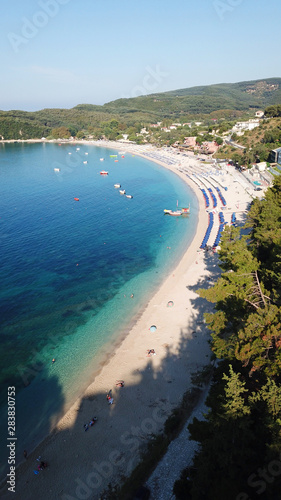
(81, 464)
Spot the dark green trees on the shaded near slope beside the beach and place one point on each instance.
(240, 440)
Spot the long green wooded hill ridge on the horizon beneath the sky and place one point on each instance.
(226, 99)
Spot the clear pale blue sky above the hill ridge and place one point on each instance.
(60, 53)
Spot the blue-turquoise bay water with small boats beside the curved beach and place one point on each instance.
(68, 267)
